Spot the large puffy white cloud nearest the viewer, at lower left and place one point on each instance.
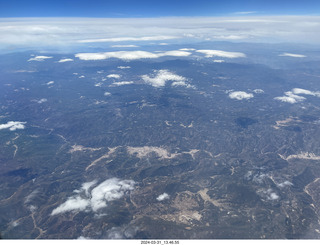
(92, 197)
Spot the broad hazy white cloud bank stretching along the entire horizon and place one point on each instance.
(71, 33)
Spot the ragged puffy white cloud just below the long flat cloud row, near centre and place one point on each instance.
(160, 78)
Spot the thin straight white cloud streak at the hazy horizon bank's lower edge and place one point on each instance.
(122, 39)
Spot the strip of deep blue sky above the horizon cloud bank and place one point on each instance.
(149, 8)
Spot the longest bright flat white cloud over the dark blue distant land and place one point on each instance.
(130, 55)
